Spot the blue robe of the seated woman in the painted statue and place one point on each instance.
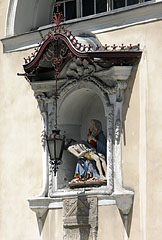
(87, 168)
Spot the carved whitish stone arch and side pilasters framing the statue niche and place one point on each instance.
(110, 99)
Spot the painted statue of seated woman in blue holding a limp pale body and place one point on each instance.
(91, 164)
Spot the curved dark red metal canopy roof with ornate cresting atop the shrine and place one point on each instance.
(68, 56)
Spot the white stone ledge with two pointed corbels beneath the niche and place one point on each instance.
(123, 199)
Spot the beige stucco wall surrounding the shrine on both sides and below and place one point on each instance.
(20, 147)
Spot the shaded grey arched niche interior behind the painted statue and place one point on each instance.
(75, 111)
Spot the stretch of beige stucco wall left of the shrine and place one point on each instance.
(20, 151)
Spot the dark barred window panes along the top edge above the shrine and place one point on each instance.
(82, 8)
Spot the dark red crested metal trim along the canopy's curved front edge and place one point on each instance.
(80, 50)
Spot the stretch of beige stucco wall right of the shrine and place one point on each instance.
(142, 166)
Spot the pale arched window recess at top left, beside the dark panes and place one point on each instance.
(24, 16)
